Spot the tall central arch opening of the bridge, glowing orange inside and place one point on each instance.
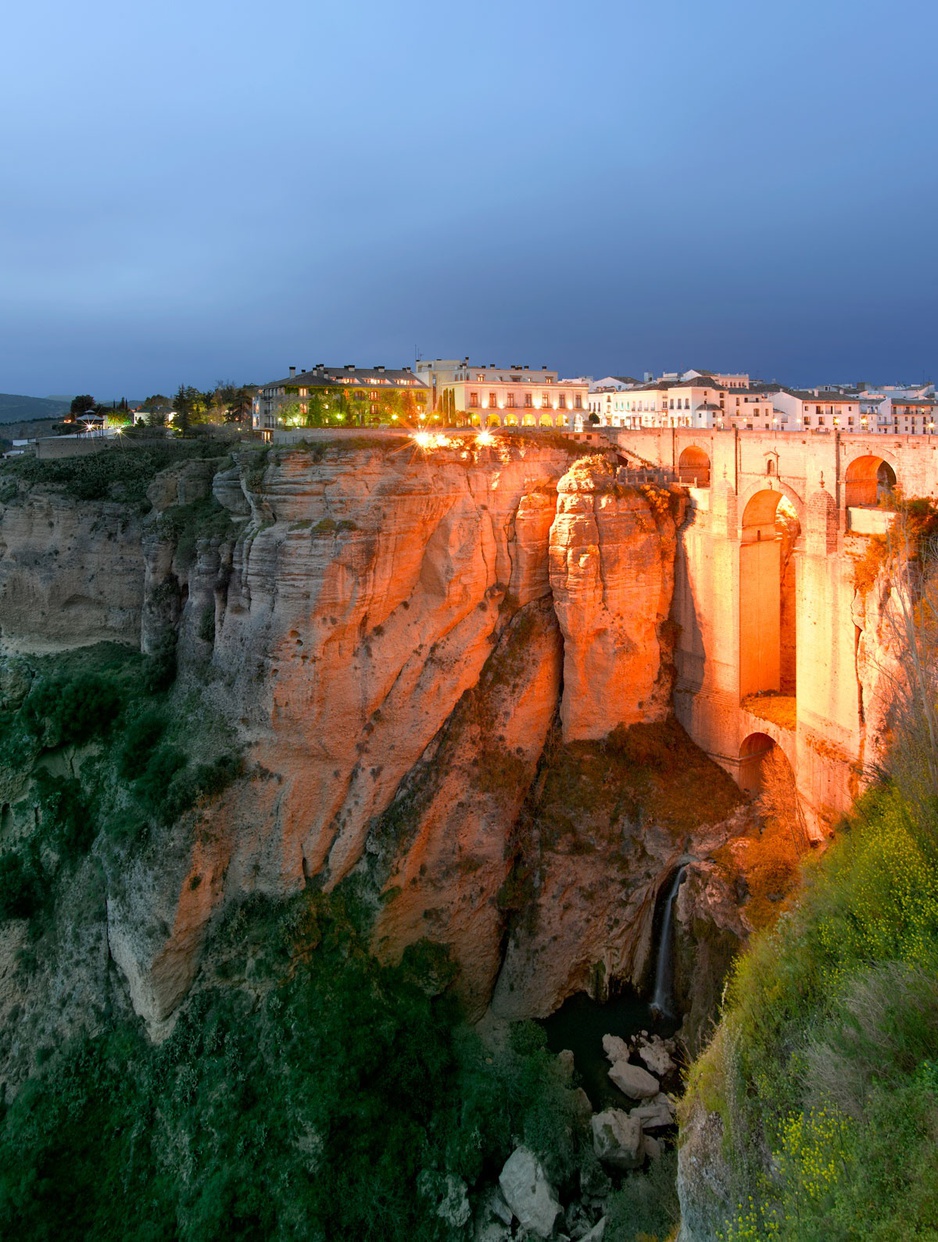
(768, 651)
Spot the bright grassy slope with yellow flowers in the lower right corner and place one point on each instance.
(826, 1067)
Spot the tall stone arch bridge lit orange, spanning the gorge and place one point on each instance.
(766, 598)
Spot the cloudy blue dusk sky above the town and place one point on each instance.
(212, 191)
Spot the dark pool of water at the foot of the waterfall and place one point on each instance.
(581, 1024)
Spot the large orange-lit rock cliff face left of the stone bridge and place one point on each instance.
(408, 646)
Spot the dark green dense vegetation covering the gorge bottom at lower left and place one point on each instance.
(305, 1094)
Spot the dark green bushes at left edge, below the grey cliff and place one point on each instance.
(91, 752)
